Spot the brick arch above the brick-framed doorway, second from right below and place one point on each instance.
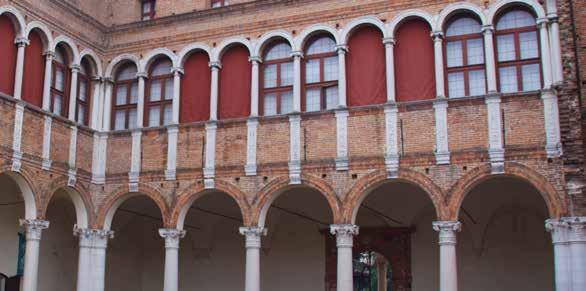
(372, 181)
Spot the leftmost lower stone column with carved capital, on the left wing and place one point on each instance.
(33, 230)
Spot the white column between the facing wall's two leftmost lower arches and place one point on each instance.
(172, 239)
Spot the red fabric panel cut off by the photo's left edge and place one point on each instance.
(8, 53)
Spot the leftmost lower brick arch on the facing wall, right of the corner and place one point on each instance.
(122, 192)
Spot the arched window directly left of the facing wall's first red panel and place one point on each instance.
(158, 101)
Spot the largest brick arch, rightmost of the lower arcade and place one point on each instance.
(555, 205)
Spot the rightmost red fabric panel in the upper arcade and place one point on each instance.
(414, 62)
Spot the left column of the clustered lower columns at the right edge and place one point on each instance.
(561, 252)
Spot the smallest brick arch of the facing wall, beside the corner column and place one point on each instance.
(109, 208)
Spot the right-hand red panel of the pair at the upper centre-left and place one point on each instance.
(234, 100)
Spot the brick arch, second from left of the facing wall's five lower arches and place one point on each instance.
(197, 190)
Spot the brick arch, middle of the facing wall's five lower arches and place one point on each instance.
(280, 185)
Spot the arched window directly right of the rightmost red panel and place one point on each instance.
(464, 47)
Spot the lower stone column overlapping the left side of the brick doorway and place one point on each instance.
(344, 241)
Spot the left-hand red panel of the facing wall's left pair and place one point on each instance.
(195, 89)
